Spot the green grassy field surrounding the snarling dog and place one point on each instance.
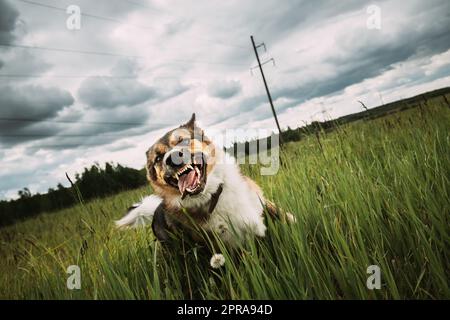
(369, 193)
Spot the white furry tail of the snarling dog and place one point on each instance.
(140, 214)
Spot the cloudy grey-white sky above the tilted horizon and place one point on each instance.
(69, 98)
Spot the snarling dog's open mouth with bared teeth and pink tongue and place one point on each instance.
(191, 178)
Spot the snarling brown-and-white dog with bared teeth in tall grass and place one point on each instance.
(197, 185)
